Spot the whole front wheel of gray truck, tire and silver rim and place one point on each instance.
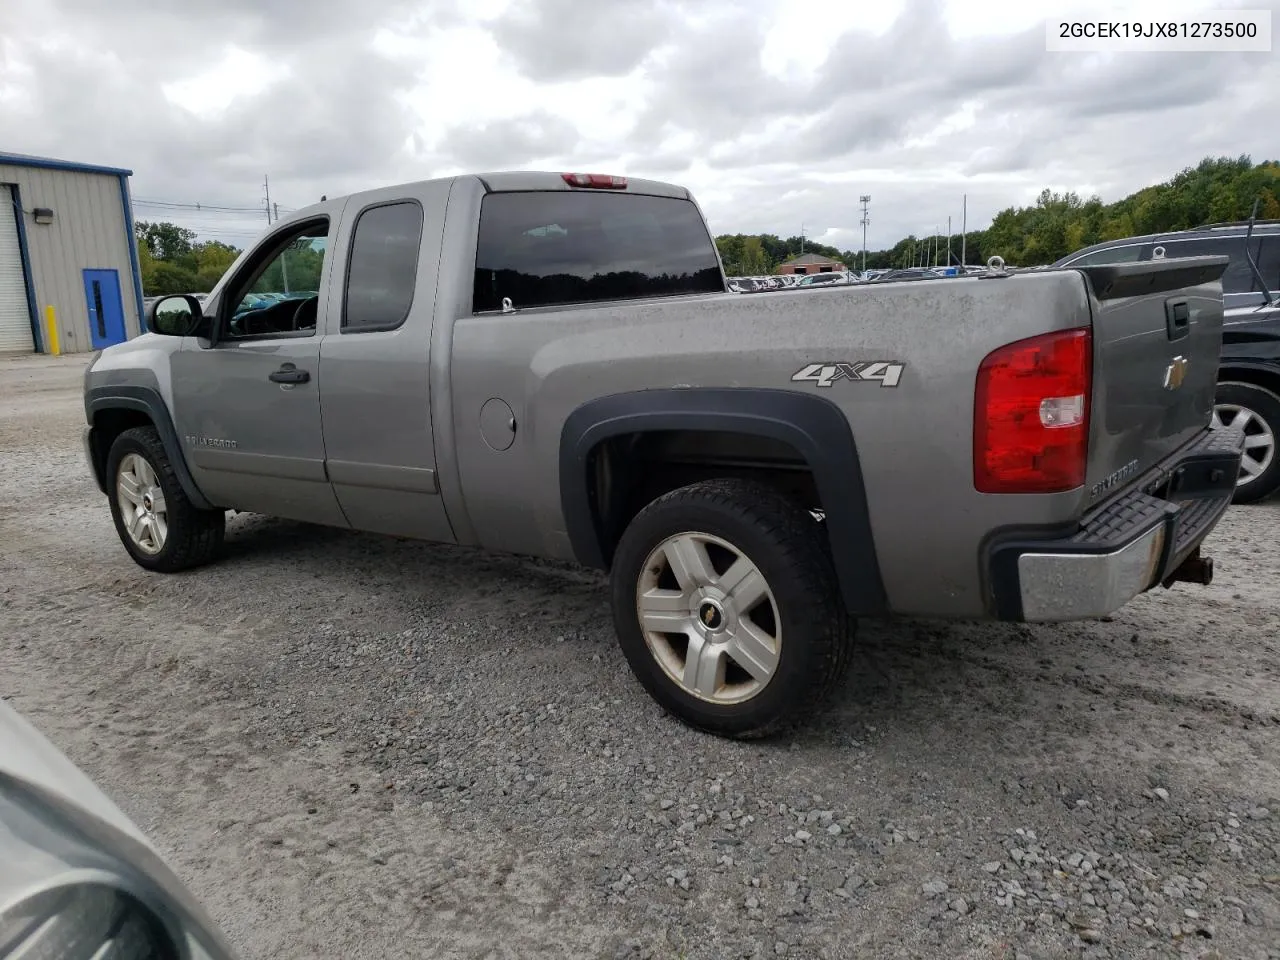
(158, 525)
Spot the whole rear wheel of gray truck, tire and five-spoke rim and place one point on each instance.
(728, 607)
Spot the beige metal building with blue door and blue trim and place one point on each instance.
(70, 278)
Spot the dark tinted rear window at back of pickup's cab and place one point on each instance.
(559, 248)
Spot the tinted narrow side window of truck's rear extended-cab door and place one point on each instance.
(383, 267)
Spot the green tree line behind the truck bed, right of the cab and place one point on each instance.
(1217, 190)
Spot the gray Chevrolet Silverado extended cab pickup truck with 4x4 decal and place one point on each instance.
(551, 365)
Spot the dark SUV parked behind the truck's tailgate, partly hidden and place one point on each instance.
(1249, 380)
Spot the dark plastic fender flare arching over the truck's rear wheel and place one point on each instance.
(813, 426)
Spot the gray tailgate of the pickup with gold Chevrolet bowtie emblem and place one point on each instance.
(1158, 333)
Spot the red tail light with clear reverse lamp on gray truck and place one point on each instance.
(1031, 419)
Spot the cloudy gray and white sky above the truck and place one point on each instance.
(778, 113)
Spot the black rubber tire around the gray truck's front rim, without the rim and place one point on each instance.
(194, 536)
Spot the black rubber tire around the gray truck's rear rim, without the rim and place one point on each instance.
(789, 548)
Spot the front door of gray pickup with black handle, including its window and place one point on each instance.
(248, 405)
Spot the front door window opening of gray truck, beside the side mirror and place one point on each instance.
(280, 292)
